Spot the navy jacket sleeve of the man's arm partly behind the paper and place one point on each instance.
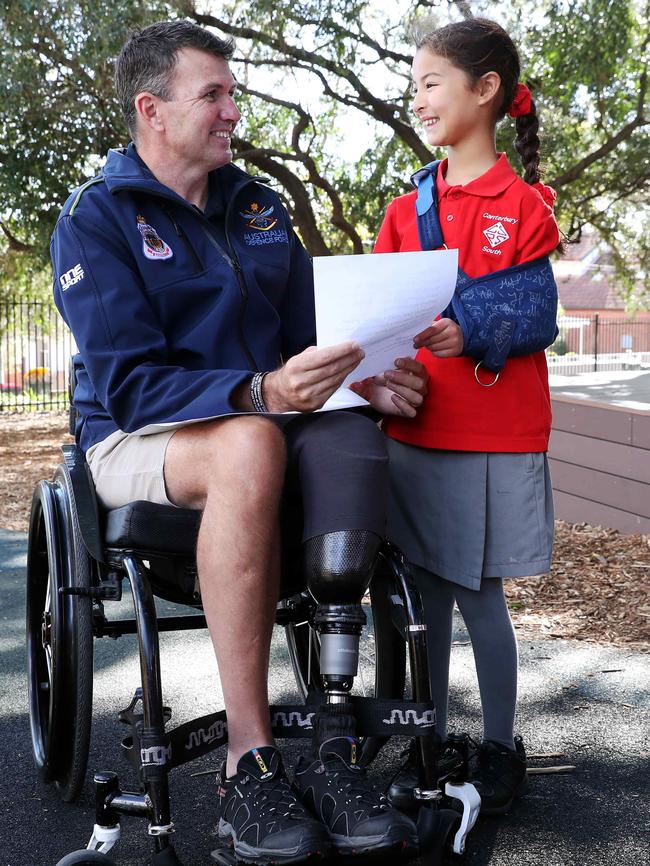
(298, 311)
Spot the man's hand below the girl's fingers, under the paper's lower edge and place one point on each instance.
(396, 392)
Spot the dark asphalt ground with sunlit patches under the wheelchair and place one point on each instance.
(588, 702)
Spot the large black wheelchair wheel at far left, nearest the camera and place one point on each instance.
(59, 638)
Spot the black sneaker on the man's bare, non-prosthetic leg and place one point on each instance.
(260, 815)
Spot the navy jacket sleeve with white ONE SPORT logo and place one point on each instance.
(100, 295)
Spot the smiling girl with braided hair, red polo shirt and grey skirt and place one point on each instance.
(471, 494)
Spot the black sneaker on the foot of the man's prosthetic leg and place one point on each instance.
(359, 819)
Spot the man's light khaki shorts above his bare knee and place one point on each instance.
(127, 467)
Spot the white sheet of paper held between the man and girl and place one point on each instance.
(381, 302)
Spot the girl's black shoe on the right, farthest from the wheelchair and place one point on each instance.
(499, 775)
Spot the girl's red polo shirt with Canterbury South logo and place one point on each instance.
(495, 221)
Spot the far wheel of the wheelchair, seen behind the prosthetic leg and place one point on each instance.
(382, 653)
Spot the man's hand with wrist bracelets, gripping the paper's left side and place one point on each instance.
(307, 380)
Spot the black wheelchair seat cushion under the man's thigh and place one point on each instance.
(148, 526)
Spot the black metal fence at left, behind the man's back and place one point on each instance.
(35, 349)
